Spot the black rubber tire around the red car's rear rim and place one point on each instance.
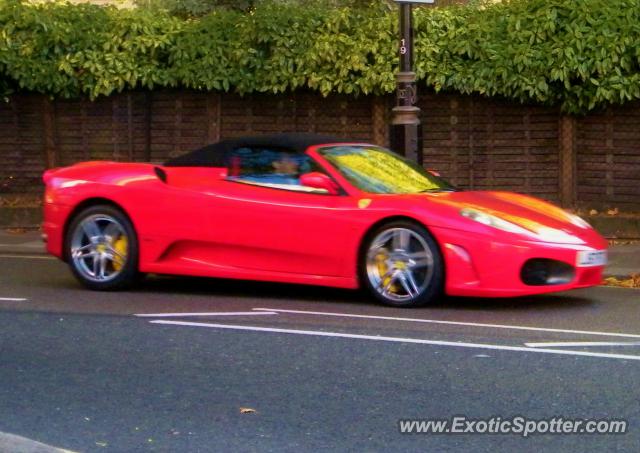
(128, 273)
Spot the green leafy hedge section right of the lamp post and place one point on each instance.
(578, 54)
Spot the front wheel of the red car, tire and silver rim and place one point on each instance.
(402, 266)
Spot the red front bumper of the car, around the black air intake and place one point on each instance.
(486, 266)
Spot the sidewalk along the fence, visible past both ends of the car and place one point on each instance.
(624, 260)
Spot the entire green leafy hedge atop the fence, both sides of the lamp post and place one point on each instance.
(578, 54)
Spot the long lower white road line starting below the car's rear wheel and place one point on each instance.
(399, 339)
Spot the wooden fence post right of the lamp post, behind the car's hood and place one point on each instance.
(567, 161)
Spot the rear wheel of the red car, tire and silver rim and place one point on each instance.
(102, 248)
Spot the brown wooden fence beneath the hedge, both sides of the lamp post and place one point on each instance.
(475, 142)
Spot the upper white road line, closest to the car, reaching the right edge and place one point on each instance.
(455, 323)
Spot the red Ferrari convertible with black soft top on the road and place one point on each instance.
(313, 210)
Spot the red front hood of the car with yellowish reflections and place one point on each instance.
(542, 218)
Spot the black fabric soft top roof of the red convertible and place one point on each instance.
(214, 155)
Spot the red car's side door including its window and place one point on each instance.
(263, 219)
